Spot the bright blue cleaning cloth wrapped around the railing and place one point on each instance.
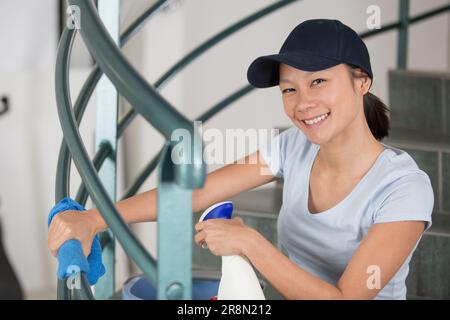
(70, 254)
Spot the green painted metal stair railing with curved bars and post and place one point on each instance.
(172, 281)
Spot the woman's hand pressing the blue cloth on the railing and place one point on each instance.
(72, 224)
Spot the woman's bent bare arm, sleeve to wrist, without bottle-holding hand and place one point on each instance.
(384, 249)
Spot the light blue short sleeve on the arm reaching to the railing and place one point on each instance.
(273, 152)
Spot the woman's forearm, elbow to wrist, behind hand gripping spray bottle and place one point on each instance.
(285, 276)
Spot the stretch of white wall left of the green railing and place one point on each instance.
(27, 134)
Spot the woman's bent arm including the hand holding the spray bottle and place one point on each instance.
(385, 248)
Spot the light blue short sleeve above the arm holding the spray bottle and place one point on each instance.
(410, 198)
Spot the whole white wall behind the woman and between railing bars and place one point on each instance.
(30, 134)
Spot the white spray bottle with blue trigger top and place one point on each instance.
(239, 280)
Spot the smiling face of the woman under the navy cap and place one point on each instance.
(323, 104)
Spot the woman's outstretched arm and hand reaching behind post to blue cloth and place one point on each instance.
(222, 184)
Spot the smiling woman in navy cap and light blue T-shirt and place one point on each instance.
(353, 208)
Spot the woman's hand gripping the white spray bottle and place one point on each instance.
(222, 236)
